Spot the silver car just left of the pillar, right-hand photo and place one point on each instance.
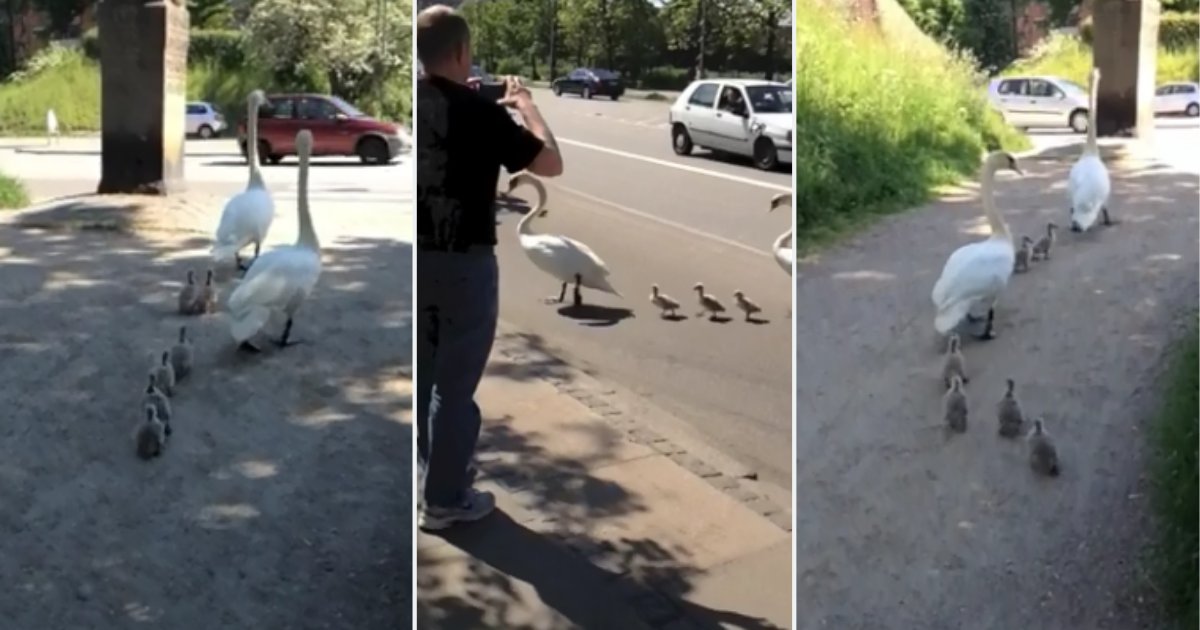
(1052, 103)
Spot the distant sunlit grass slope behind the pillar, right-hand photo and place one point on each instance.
(1069, 57)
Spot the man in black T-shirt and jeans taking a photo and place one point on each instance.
(463, 141)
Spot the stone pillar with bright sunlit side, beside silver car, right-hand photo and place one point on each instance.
(1125, 35)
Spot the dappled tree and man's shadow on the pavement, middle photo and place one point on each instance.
(555, 547)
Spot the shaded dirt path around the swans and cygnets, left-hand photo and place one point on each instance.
(284, 497)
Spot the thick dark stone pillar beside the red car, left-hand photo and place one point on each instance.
(143, 55)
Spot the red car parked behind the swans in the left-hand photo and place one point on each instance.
(338, 129)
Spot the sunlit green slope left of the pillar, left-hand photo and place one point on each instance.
(70, 87)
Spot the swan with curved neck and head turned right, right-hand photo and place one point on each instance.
(980, 272)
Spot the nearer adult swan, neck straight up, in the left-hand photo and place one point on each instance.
(281, 279)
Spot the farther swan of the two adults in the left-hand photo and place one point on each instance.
(248, 215)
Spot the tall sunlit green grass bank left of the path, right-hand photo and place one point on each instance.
(880, 124)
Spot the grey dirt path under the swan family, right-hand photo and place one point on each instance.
(899, 527)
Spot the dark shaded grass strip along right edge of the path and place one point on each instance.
(1173, 473)
